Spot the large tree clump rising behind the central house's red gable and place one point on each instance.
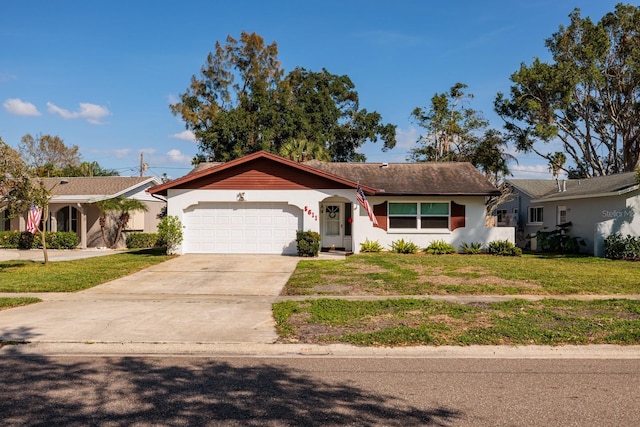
(243, 102)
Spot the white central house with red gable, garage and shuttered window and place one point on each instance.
(255, 204)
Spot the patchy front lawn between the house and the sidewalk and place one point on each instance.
(396, 274)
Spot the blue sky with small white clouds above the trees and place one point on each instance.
(101, 74)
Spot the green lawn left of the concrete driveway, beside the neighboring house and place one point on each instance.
(71, 276)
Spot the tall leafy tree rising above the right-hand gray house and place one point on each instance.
(586, 98)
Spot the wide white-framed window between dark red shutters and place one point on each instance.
(418, 215)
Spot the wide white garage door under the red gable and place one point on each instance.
(249, 228)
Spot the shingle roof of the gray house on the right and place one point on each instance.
(547, 190)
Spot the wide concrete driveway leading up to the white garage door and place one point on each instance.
(189, 299)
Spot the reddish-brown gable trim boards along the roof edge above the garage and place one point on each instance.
(185, 180)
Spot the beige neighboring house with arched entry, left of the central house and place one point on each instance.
(72, 206)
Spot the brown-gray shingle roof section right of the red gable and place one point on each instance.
(430, 178)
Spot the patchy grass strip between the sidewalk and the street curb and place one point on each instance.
(407, 322)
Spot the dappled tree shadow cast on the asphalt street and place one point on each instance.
(39, 390)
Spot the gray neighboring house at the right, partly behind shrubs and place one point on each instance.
(596, 207)
